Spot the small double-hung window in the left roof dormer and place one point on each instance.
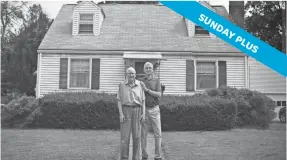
(86, 24)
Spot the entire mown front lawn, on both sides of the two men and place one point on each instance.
(239, 144)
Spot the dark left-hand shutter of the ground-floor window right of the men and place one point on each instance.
(190, 75)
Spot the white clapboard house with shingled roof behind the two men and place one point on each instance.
(89, 46)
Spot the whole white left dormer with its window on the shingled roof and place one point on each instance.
(87, 18)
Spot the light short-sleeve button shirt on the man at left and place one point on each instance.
(131, 95)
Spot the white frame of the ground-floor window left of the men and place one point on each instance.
(90, 72)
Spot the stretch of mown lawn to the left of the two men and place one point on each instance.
(59, 144)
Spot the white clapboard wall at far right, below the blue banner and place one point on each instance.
(264, 79)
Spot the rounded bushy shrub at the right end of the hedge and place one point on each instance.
(254, 108)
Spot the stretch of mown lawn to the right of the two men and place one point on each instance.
(238, 144)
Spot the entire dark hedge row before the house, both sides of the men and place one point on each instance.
(215, 109)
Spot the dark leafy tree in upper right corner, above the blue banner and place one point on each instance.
(265, 21)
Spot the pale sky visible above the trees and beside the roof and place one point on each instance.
(52, 8)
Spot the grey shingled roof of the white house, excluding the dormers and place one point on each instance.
(131, 27)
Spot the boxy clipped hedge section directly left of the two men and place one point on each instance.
(81, 110)
